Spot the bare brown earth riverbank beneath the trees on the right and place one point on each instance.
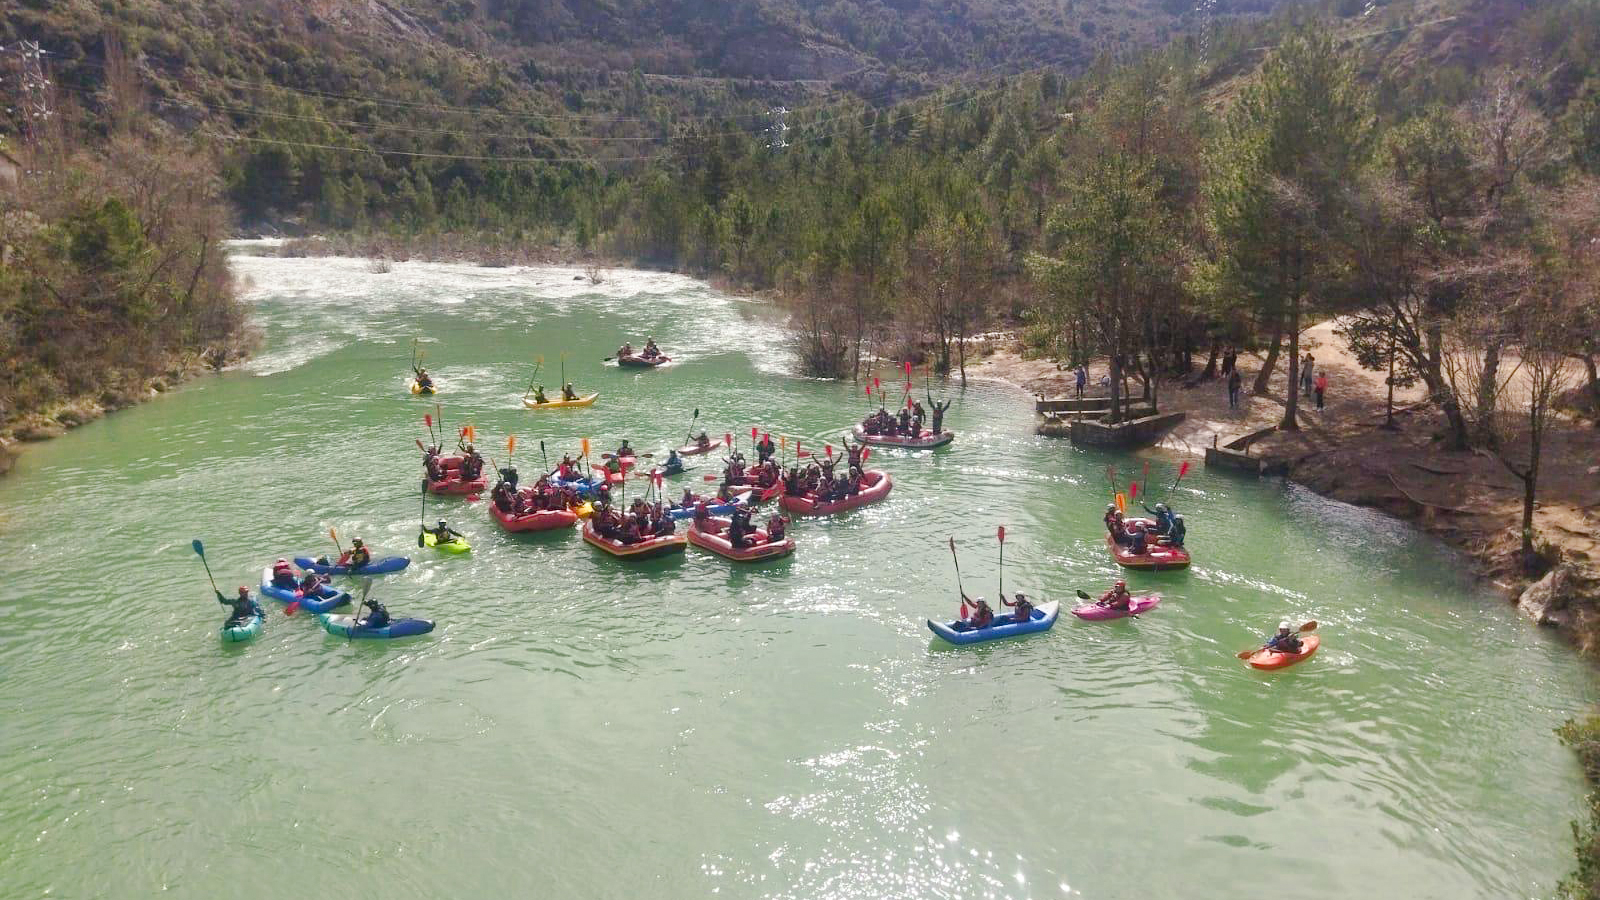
(1345, 452)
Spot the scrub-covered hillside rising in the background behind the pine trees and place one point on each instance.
(447, 84)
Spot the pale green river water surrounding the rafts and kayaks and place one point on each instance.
(583, 728)
